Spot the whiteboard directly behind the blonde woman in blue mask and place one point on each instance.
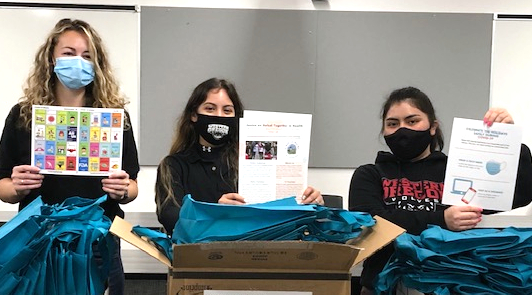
(22, 31)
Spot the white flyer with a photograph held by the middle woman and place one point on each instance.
(273, 155)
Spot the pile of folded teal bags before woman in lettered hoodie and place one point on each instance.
(477, 261)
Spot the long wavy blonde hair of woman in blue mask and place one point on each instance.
(103, 92)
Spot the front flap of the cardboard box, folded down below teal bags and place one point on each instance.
(297, 256)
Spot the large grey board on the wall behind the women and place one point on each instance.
(327, 63)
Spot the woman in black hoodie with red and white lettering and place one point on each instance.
(406, 186)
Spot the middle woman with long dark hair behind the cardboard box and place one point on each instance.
(203, 158)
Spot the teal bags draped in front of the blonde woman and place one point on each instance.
(49, 249)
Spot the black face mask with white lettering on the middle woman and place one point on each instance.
(215, 130)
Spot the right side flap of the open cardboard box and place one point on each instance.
(376, 237)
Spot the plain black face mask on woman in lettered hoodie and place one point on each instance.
(406, 144)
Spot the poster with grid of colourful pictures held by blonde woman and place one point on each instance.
(77, 141)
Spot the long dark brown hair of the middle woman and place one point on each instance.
(185, 137)
